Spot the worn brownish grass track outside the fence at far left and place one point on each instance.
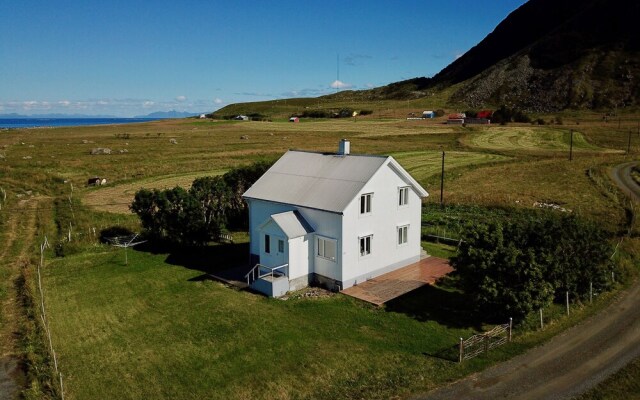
(16, 248)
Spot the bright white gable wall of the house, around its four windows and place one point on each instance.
(382, 223)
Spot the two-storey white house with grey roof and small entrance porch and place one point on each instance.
(333, 219)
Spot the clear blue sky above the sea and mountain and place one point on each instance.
(132, 57)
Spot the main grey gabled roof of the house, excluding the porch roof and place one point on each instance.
(319, 180)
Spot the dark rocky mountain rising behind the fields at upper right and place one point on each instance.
(573, 55)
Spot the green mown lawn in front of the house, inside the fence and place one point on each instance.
(157, 330)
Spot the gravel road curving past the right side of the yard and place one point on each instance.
(571, 362)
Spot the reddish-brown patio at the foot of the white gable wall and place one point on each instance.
(394, 284)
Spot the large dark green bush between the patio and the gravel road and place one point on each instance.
(512, 267)
